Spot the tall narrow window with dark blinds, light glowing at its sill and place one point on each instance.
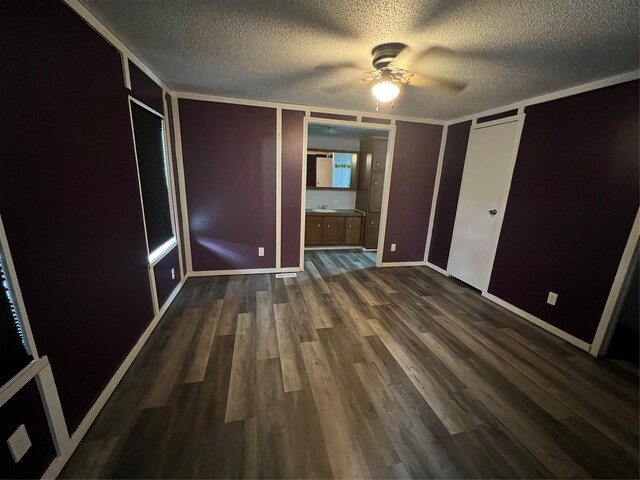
(148, 132)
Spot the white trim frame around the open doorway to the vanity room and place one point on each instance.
(391, 129)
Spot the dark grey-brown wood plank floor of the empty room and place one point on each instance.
(352, 371)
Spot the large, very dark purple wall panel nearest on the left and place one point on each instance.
(69, 197)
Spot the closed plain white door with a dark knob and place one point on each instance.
(483, 197)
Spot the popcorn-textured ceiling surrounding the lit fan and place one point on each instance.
(507, 50)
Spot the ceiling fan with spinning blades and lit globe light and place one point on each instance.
(391, 63)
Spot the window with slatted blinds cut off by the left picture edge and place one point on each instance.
(13, 347)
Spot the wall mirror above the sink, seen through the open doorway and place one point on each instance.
(330, 170)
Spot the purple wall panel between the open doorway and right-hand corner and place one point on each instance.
(415, 161)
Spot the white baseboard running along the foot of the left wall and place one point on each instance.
(59, 462)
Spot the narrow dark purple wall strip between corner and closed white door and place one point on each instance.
(447, 203)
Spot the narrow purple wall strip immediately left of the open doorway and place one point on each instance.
(292, 139)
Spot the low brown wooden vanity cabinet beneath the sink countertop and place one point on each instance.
(332, 230)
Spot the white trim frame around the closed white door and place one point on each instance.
(519, 118)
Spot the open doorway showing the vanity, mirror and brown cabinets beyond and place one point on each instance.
(347, 168)
